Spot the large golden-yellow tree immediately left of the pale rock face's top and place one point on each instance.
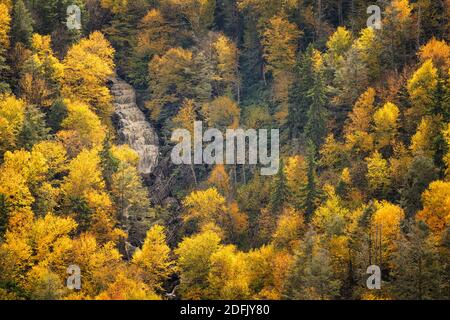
(87, 66)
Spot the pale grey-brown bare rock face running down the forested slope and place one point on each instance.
(132, 126)
